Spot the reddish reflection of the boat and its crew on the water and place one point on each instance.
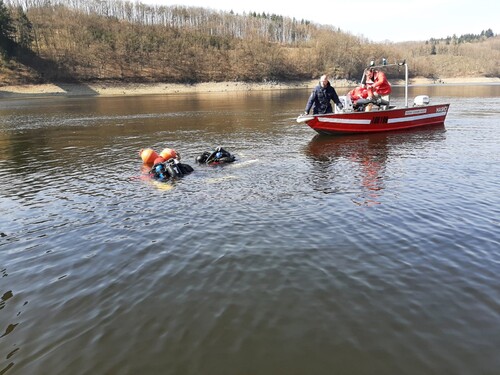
(357, 164)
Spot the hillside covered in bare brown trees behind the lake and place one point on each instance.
(92, 40)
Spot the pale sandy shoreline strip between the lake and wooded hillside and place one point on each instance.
(116, 89)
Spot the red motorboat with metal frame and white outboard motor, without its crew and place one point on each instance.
(381, 117)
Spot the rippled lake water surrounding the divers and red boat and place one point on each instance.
(371, 254)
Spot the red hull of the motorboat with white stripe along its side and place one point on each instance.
(377, 121)
